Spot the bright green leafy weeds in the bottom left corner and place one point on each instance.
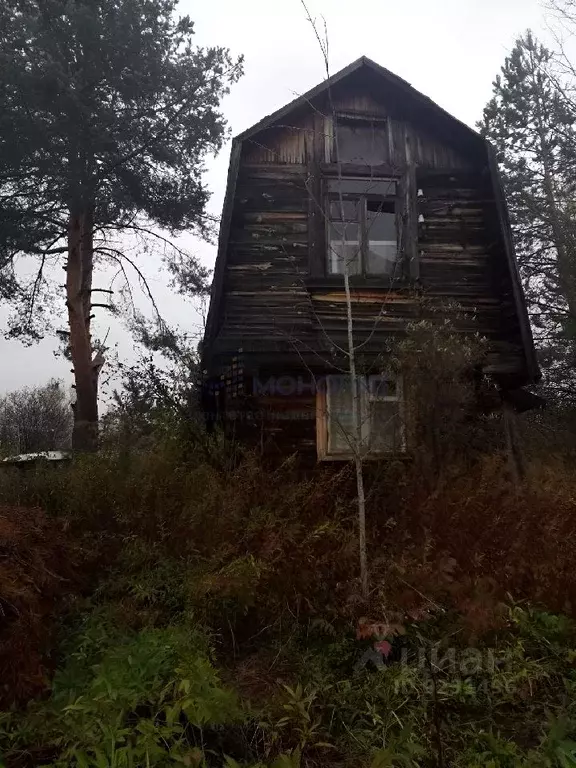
(129, 698)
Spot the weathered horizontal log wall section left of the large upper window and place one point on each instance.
(266, 300)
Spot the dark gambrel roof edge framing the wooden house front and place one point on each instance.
(417, 99)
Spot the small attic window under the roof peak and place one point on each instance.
(358, 140)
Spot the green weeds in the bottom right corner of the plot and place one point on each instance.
(506, 702)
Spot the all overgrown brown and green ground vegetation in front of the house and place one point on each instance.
(201, 612)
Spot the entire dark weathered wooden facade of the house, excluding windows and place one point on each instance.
(282, 314)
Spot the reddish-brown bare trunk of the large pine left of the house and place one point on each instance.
(78, 298)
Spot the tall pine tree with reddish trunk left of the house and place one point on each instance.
(106, 114)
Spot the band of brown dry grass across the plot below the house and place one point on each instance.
(257, 553)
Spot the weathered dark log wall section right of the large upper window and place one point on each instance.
(462, 259)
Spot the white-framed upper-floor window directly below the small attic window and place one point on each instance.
(362, 235)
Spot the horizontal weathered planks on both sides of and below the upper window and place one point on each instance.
(269, 297)
